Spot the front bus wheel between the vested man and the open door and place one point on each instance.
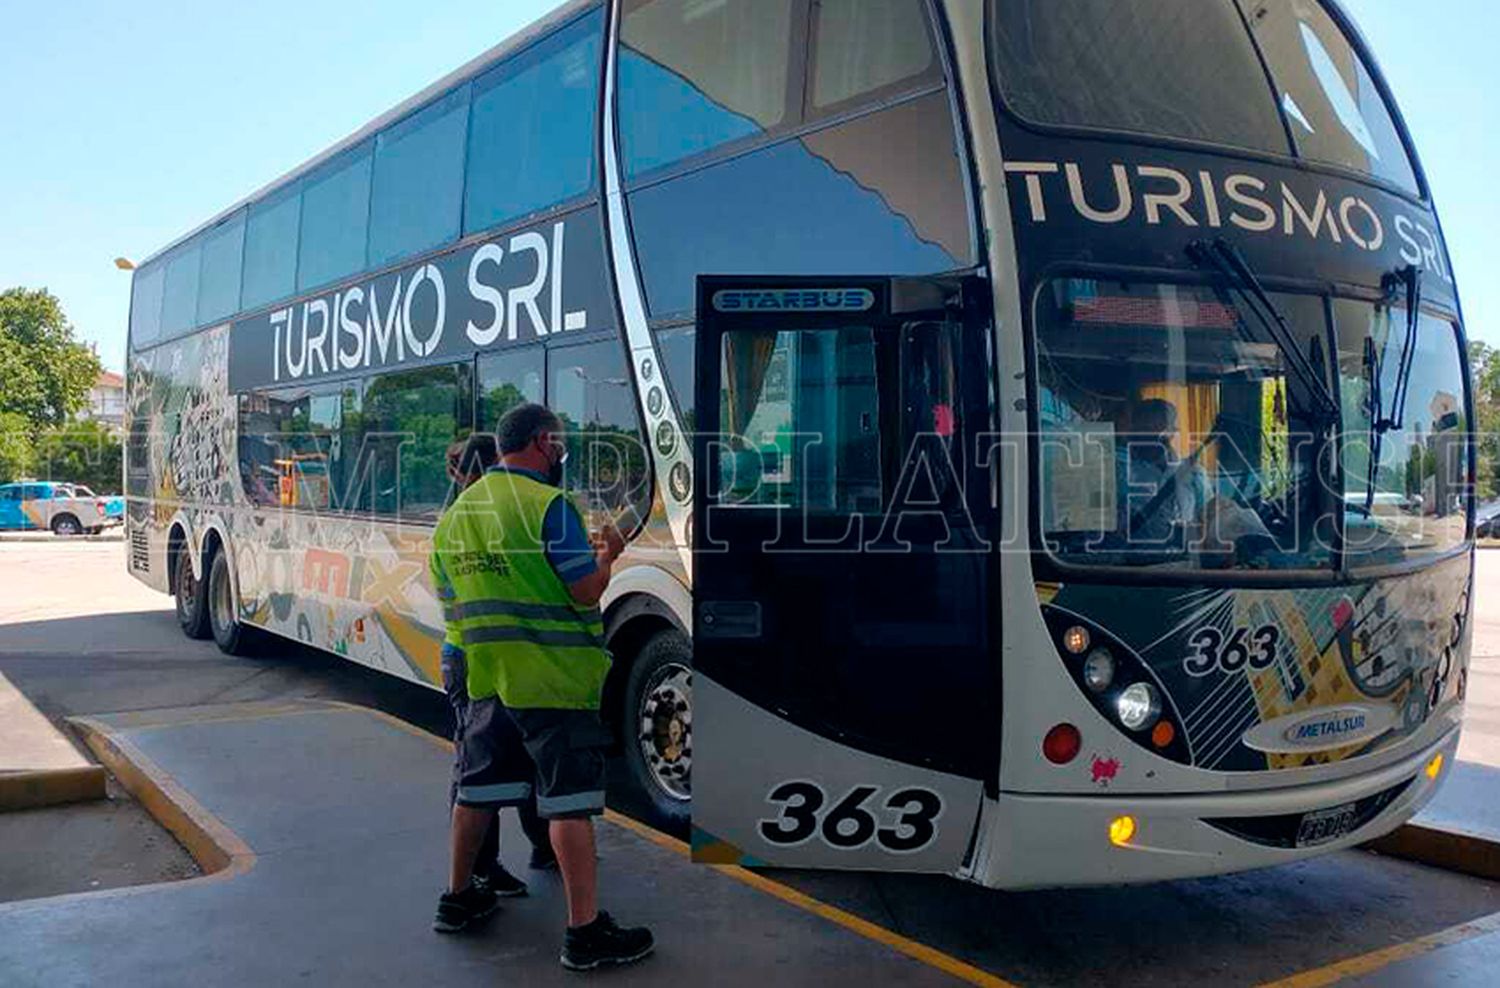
(658, 725)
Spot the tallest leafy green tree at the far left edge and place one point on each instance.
(47, 373)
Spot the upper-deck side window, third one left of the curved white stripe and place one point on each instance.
(335, 217)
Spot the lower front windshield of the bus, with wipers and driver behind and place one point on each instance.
(1174, 434)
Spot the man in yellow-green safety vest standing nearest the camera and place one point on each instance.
(521, 582)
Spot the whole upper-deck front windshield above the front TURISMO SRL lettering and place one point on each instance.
(1190, 70)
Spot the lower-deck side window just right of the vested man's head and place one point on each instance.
(590, 389)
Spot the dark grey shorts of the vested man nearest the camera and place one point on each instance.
(569, 749)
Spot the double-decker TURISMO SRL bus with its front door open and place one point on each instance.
(1043, 425)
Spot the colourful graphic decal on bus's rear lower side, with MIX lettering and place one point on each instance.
(353, 587)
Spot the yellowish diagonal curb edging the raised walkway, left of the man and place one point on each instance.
(217, 849)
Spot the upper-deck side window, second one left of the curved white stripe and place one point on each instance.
(419, 181)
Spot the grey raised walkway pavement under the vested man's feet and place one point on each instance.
(346, 875)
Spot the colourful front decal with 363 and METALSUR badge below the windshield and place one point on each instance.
(1279, 680)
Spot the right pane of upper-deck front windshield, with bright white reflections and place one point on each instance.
(1337, 115)
